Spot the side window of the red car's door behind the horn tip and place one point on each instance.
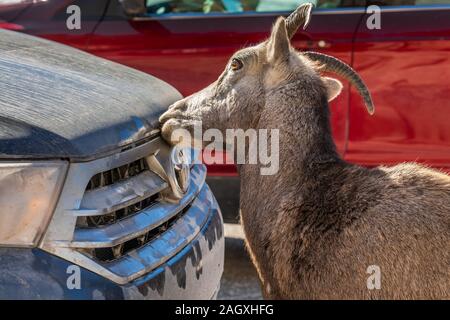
(161, 7)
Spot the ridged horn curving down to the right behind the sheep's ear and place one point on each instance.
(331, 64)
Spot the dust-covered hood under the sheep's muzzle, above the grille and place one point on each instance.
(59, 102)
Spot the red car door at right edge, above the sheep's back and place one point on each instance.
(406, 65)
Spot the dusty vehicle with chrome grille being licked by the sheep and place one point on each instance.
(93, 203)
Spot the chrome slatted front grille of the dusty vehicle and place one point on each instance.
(122, 226)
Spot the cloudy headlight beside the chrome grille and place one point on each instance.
(28, 195)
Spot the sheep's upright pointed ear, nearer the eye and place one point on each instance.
(278, 46)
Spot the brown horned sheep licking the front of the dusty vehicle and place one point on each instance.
(316, 227)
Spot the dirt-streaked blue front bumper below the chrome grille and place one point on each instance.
(193, 273)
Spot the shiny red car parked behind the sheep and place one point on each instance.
(403, 56)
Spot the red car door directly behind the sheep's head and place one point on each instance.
(187, 43)
